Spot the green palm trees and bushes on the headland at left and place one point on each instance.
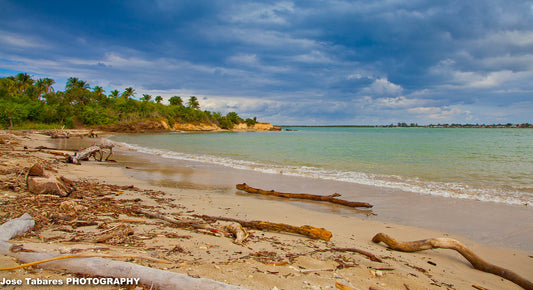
(26, 102)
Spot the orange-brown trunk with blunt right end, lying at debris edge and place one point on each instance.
(308, 231)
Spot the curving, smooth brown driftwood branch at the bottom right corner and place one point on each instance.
(452, 244)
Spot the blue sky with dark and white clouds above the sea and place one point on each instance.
(290, 62)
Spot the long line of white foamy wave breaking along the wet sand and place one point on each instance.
(445, 189)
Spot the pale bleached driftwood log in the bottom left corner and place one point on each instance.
(101, 267)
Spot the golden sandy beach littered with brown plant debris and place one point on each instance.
(267, 259)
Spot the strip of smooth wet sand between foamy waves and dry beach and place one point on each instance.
(482, 221)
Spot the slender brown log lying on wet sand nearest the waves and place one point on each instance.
(330, 198)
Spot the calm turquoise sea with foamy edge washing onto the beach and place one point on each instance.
(484, 164)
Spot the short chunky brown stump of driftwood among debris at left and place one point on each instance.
(41, 182)
